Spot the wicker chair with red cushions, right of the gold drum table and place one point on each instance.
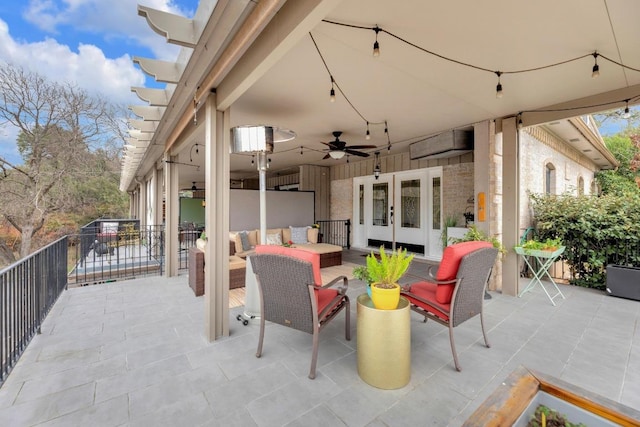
(456, 293)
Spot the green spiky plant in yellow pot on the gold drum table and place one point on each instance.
(384, 274)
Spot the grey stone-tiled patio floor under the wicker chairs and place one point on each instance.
(134, 353)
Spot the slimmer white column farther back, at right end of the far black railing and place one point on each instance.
(172, 245)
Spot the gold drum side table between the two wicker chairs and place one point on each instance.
(384, 344)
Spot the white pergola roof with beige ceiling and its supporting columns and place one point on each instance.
(496, 65)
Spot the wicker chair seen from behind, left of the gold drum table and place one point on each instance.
(290, 296)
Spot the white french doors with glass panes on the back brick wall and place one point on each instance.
(401, 209)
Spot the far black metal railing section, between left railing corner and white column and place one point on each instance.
(102, 254)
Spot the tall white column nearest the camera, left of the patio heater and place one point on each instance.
(216, 260)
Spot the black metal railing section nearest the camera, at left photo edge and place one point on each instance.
(28, 290)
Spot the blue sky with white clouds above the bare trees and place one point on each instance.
(89, 43)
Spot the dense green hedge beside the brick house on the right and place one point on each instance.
(596, 231)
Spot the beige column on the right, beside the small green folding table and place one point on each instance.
(510, 205)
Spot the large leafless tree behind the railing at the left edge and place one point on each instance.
(59, 126)
